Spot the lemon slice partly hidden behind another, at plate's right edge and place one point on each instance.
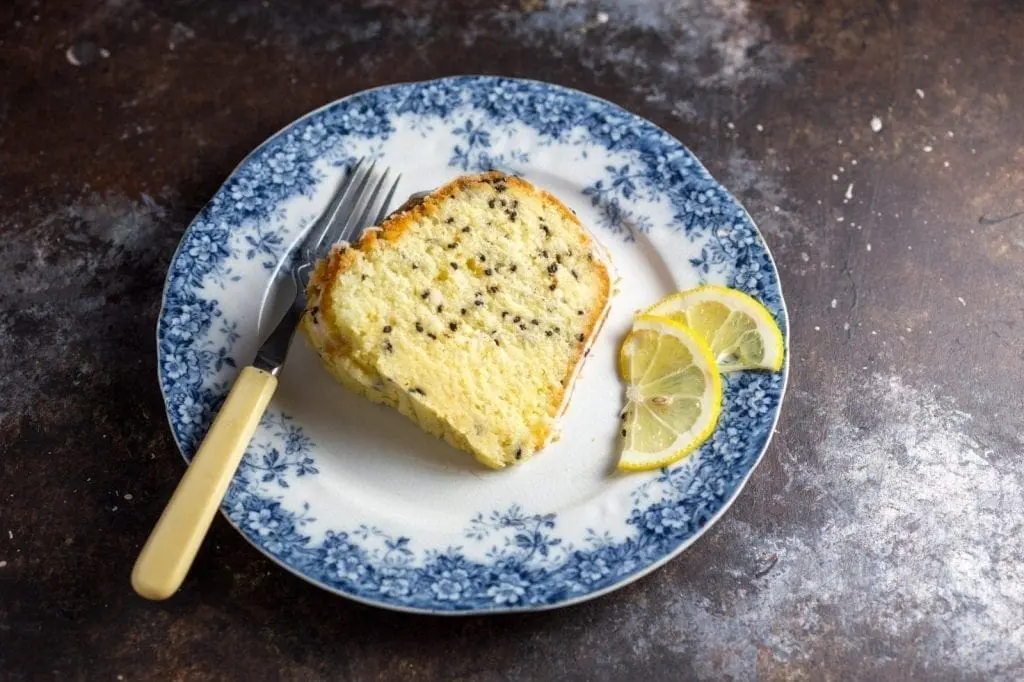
(742, 333)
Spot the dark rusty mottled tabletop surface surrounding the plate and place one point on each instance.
(882, 536)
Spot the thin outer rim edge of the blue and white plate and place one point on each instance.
(626, 581)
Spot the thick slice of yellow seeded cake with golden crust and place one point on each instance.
(471, 312)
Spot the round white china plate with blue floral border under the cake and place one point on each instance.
(355, 498)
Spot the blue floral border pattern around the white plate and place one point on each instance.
(530, 566)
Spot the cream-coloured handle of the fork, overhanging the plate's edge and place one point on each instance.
(168, 553)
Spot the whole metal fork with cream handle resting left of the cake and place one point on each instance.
(173, 545)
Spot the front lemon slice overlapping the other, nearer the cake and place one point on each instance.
(673, 395)
